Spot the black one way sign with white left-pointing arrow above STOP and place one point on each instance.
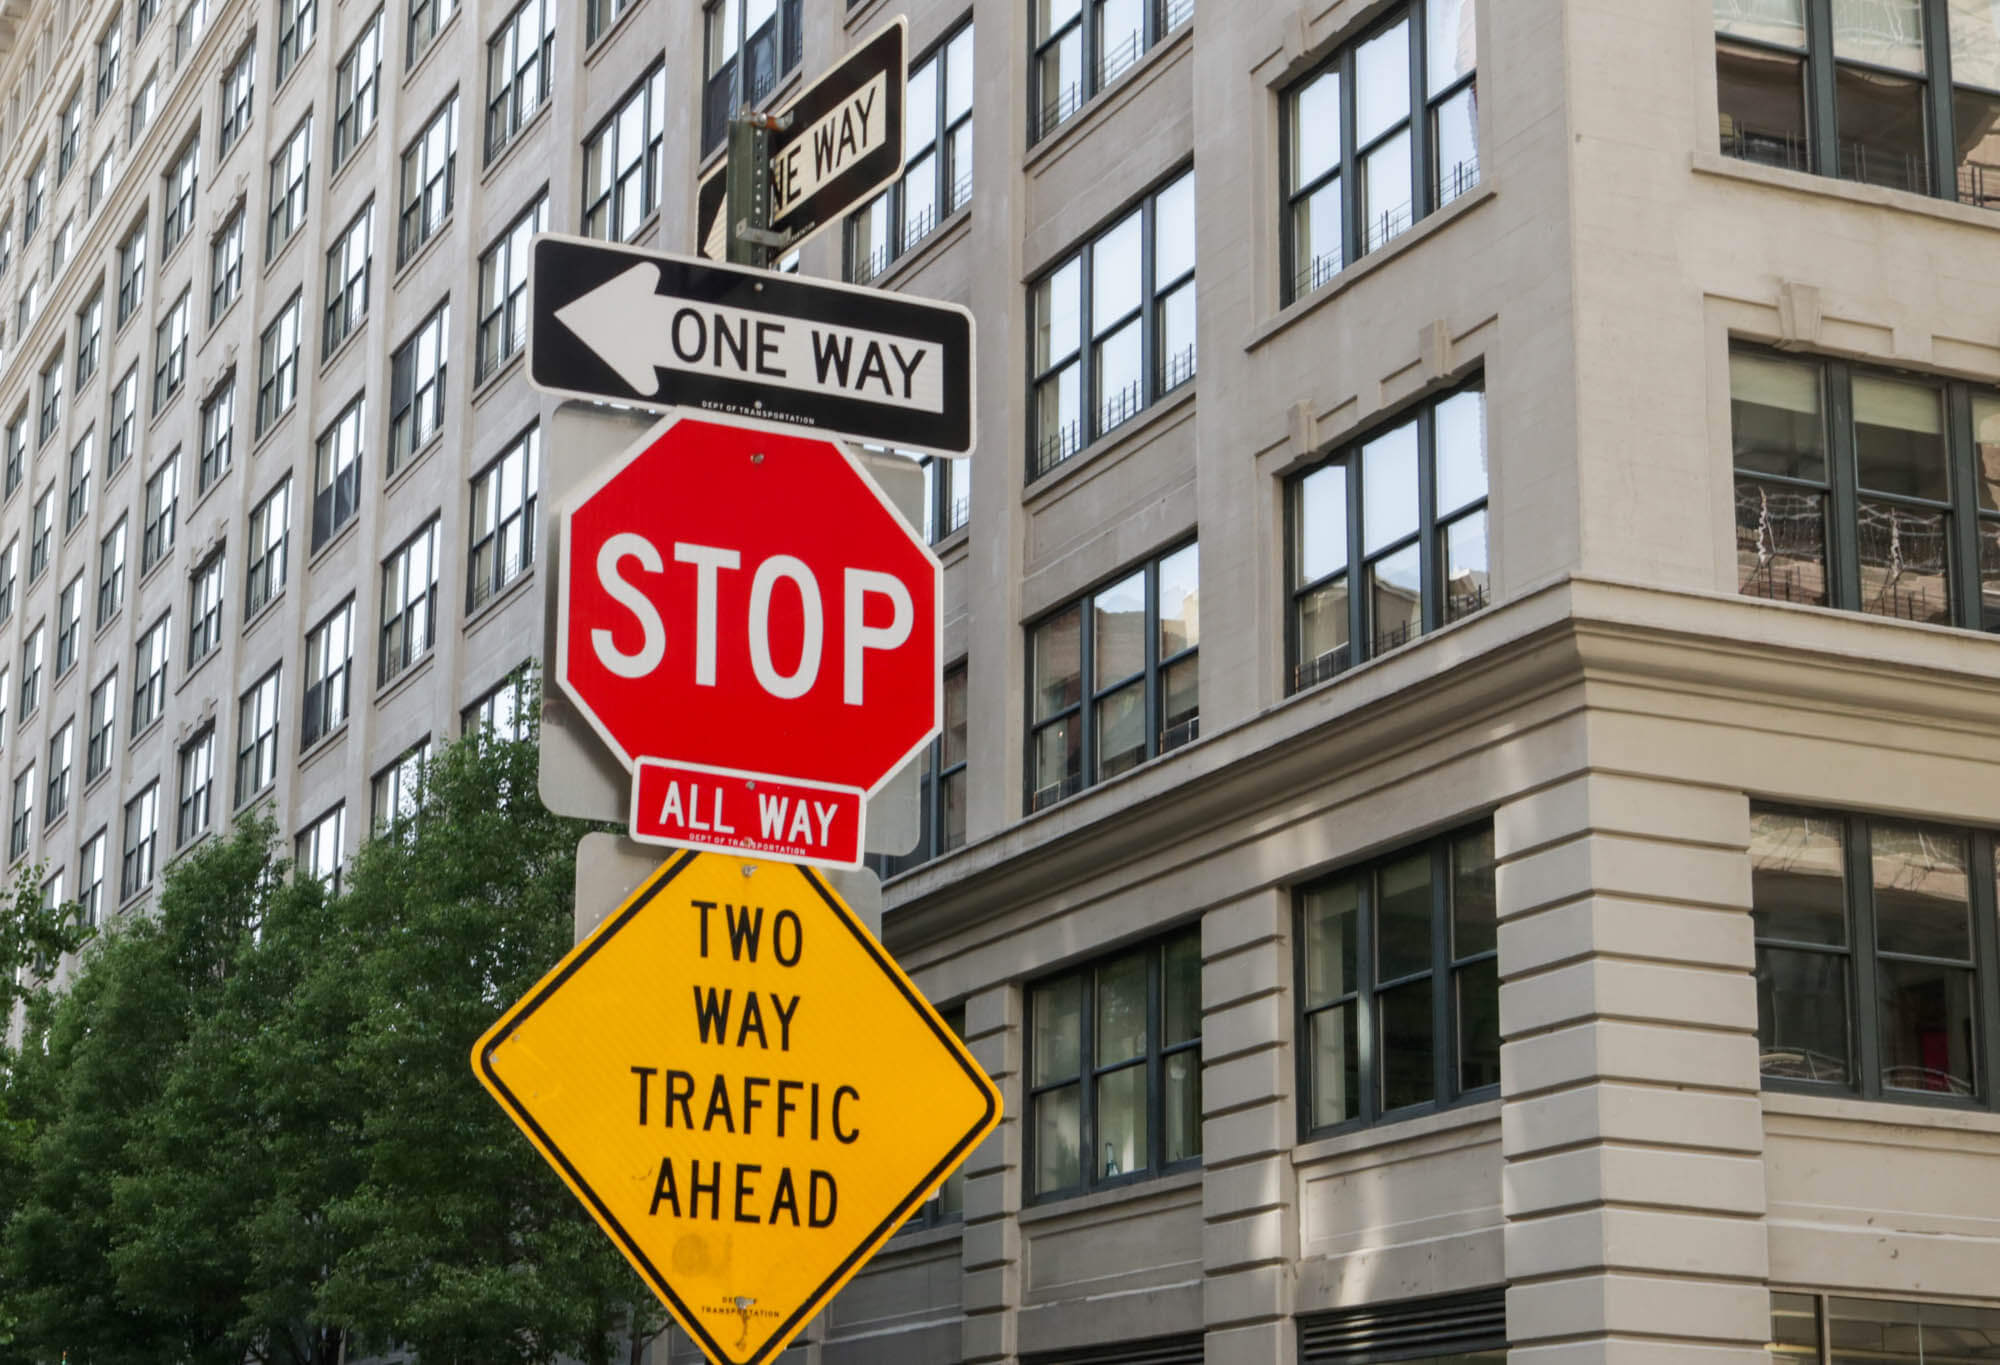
(659, 331)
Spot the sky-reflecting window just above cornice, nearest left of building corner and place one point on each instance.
(1423, 561)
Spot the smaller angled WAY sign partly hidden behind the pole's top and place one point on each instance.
(843, 143)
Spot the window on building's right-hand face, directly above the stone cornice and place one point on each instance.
(1857, 491)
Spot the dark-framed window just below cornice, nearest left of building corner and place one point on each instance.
(1399, 984)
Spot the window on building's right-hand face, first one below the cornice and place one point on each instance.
(1873, 942)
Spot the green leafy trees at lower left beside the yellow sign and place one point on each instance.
(247, 1126)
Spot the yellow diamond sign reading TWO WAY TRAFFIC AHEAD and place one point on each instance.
(745, 1092)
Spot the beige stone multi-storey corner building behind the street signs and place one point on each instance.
(1469, 822)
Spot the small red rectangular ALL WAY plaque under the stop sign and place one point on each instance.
(697, 808)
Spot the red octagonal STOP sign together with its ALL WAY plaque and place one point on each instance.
(755, 631)
